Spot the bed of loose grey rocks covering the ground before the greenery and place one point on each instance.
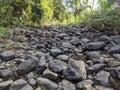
(61, 58)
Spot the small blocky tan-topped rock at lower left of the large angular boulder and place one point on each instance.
(50, 75)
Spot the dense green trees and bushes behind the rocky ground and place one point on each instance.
(38, 12)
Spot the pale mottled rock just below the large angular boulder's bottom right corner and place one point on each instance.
(84, 84)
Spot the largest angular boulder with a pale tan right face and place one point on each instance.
(75, 70)
